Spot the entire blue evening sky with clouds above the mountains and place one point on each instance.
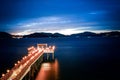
(23, 17)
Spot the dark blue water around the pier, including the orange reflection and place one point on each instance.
(76, 58)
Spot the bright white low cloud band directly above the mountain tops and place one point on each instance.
(66, 31)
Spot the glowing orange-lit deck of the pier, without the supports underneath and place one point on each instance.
(22, 67)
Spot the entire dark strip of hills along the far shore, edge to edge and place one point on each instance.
(50, 35)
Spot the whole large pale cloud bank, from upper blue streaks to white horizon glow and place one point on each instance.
(65, 25)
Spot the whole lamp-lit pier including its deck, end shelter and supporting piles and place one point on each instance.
(26, 68)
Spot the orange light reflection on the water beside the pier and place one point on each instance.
(48, 71)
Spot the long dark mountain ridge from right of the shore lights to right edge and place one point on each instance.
(84, 34)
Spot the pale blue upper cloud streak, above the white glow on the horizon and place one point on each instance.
(45, 21)
